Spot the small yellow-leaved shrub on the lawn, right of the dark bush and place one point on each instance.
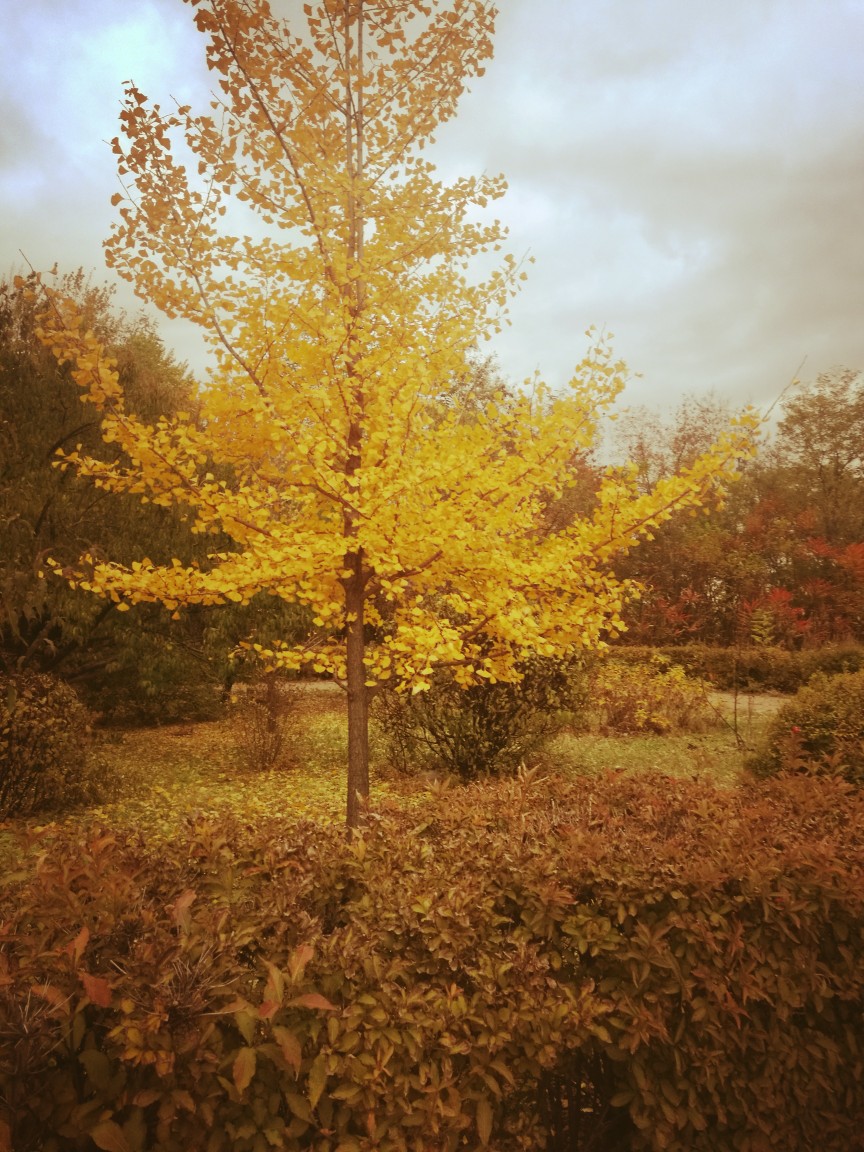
(648, 698)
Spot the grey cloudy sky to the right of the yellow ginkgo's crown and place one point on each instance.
(695, 183)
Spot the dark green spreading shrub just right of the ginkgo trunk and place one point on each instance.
(486, 730)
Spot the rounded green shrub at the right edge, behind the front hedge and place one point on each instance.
(821, 731)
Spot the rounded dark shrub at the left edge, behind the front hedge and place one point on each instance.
(46, 761)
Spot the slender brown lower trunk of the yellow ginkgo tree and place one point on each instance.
(358, 699)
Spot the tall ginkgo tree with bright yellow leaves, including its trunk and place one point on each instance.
(330, 453)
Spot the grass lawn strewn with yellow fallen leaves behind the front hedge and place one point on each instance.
(165, 776)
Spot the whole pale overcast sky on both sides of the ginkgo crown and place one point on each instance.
(688, 175)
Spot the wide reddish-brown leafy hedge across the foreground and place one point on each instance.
(618, 964)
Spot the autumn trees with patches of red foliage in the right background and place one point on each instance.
(783, 563)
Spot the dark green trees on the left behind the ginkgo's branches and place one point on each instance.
(140, 665)
